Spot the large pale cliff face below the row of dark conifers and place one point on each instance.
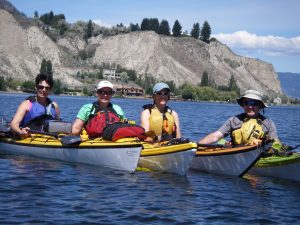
(184, 60)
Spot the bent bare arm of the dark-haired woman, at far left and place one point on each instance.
(17, 119)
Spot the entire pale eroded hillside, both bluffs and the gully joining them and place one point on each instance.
(184, 59)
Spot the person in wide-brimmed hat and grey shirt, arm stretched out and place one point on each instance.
(249, 127)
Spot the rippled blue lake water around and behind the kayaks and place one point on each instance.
(37, 191)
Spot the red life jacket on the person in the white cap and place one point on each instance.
(100, 119)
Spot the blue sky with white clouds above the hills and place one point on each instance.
(268, 30)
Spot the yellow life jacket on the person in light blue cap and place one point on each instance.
(161, 123)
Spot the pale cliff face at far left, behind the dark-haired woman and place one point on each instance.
(22, 49)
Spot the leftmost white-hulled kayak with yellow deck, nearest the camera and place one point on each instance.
(122, 155)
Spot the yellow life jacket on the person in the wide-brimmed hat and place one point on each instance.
(250, 131)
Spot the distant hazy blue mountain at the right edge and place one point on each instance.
(290, 83)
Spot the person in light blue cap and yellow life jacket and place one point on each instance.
(158, 118)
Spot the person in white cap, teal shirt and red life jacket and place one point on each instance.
(95, 116)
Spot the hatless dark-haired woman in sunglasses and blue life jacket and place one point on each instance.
(32, 112)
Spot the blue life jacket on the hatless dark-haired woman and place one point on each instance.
(38, 114)
